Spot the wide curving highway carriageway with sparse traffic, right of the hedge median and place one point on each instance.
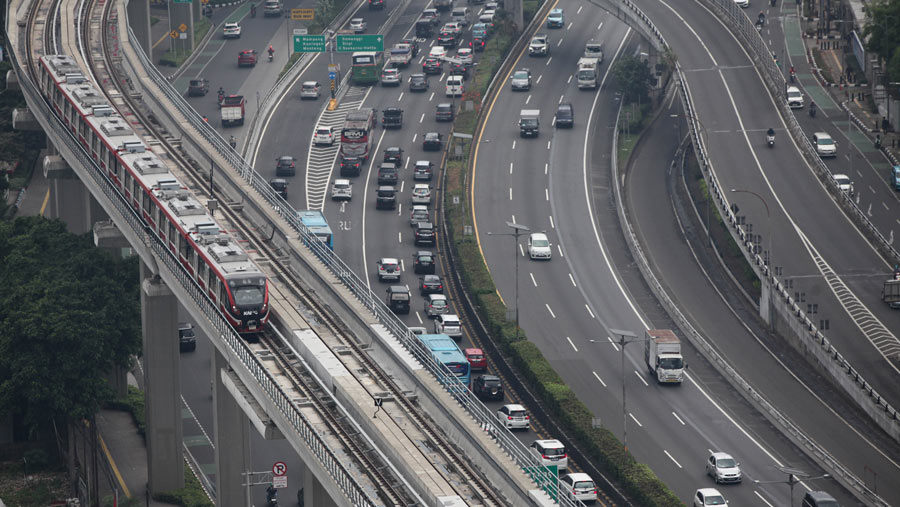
(561, 301)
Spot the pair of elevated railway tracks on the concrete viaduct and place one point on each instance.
(93, 47)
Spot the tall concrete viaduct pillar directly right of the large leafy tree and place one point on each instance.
(159, 319)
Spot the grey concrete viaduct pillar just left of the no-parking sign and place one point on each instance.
(232, 437)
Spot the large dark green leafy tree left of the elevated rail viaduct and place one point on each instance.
(69, 313)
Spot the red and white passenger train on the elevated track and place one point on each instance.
(213, 257)
